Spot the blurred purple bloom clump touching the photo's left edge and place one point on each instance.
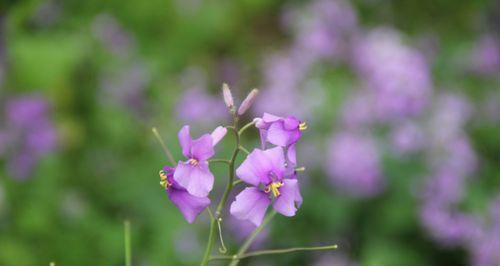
(28, 136)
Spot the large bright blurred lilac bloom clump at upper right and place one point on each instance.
(398, 74)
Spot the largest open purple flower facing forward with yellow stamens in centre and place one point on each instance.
(265, 170)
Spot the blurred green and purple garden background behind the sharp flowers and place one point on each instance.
(402, 99)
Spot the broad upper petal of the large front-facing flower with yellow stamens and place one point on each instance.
(259, 164)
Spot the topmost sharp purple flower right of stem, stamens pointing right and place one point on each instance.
(283, 132)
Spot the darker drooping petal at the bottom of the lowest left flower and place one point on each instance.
(189, 205)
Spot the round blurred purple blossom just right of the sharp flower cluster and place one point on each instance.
(353, 164)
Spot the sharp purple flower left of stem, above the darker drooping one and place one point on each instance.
(194, 174)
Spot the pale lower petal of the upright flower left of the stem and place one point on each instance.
(197, 180)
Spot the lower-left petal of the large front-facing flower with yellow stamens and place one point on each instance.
(251, 204)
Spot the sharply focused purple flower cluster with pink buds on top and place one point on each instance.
(269, 172)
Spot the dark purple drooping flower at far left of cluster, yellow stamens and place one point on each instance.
(189, 205)
